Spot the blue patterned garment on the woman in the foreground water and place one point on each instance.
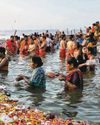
(38, 78)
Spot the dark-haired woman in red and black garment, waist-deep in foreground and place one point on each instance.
(73, 79)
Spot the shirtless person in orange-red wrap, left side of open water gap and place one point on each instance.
(42, 47)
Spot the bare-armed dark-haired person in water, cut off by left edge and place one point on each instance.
(3, 60)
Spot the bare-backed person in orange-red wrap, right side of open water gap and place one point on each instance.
(62, 51)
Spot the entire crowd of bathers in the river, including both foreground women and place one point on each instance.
(75, 49)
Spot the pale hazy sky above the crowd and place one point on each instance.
(48, 14)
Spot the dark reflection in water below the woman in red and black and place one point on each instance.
(74, 99)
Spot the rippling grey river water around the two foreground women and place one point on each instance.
(82, 105)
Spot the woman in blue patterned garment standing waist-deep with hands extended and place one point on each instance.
(38, 78)
